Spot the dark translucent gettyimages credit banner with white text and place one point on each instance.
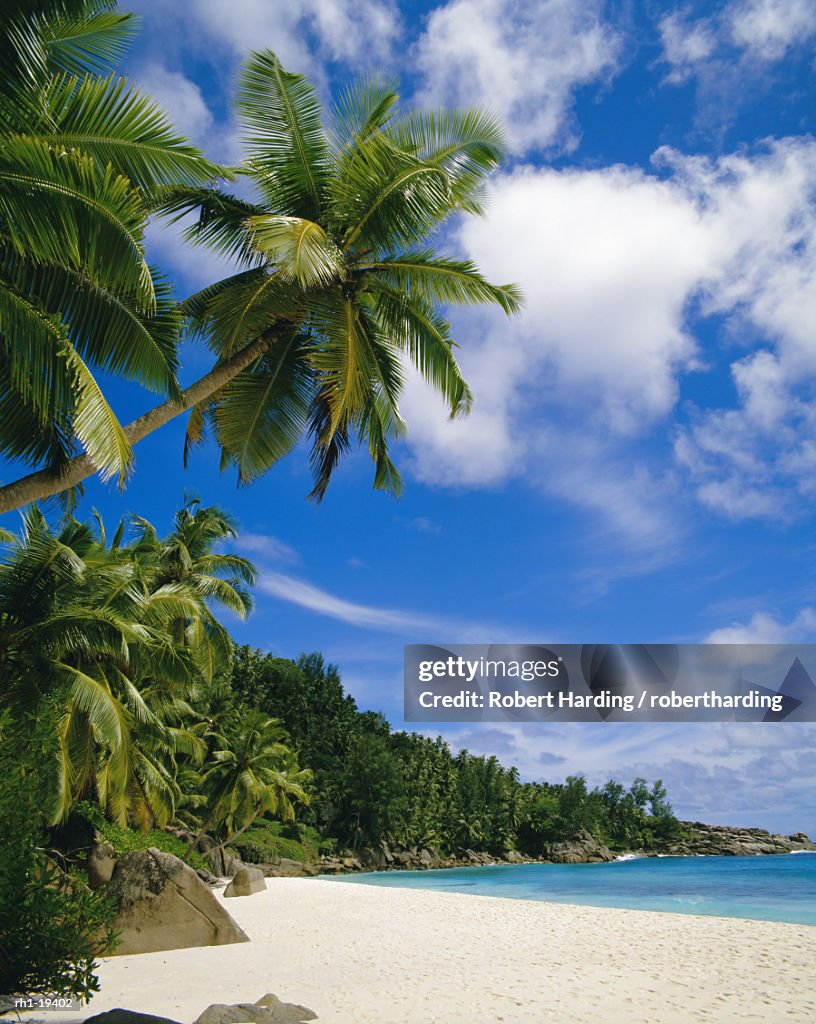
(611, 682)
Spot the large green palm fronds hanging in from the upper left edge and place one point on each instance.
(82, 155)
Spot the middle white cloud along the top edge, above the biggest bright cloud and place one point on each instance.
(524, 63)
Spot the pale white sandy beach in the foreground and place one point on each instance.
(360, 955)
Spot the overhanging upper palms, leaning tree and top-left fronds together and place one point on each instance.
(338, 291)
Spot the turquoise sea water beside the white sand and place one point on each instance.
(781, 888)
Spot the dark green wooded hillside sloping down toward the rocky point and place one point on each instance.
(372, 785)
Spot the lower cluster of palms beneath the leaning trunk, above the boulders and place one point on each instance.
(115, 643)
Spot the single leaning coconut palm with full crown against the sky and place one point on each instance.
(338, 287)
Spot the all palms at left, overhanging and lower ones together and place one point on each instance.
(336, 296)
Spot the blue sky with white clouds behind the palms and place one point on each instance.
(639, 465)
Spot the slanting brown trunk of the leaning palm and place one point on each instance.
(47, 483)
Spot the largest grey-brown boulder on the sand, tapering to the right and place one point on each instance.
(163, 905)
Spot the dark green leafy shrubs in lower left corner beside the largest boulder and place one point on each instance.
(52, 925)
